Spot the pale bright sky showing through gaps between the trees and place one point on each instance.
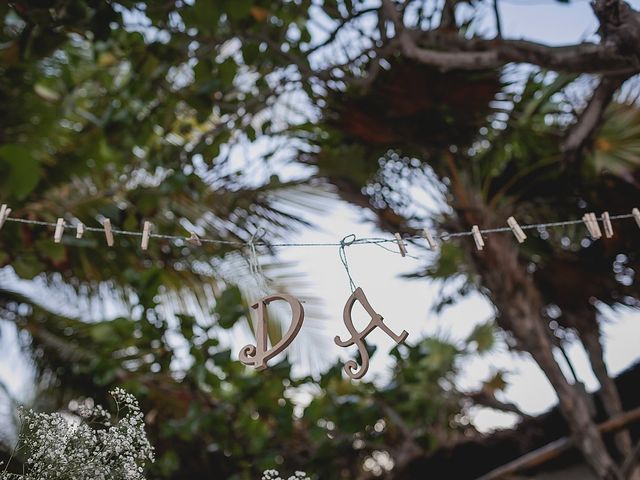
(406, 304)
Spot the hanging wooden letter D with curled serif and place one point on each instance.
(260, 354)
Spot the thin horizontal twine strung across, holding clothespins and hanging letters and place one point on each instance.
(356, 241)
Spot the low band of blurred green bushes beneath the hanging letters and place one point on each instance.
(219, 416)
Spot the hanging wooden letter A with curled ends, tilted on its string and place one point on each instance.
(357, 338)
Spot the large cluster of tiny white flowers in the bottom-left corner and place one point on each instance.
(57, 446)
